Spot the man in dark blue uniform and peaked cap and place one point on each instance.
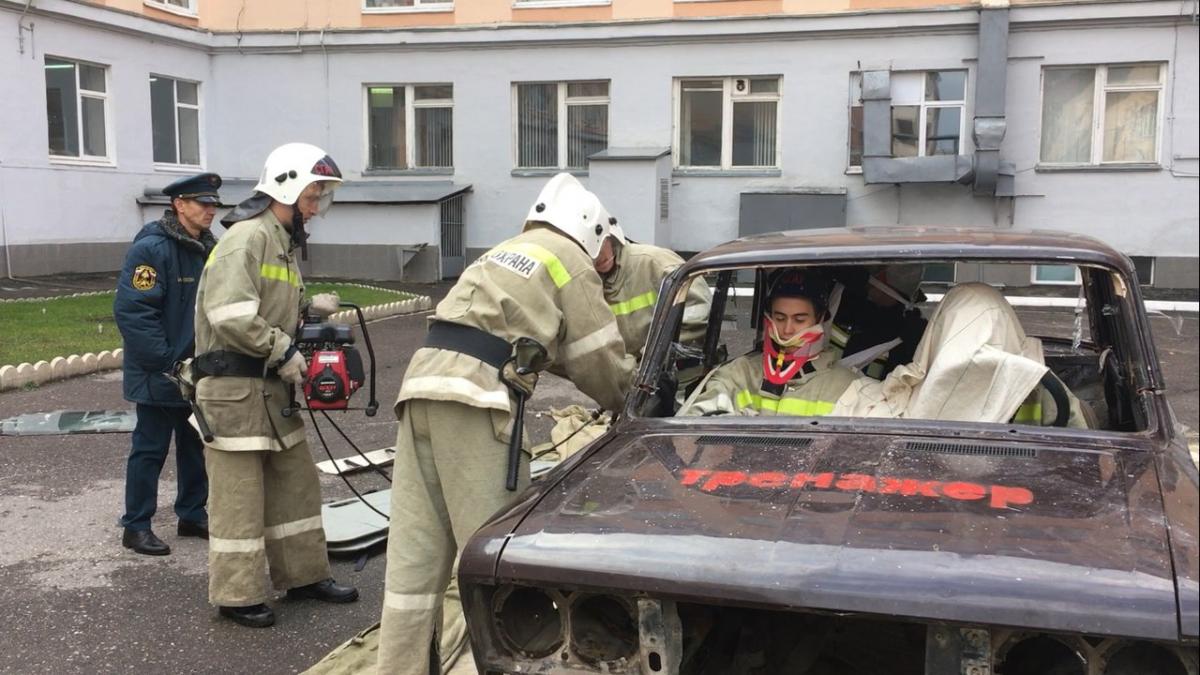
(155, 312)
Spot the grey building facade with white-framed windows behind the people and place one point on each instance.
(695, 122)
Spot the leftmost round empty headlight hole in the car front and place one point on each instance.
(529, 622)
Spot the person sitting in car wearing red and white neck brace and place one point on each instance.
(791, 375)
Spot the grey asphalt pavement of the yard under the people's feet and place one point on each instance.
(75, 601)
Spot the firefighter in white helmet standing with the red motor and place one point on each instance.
(265, 499)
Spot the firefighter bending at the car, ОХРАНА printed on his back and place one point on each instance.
(457, 413)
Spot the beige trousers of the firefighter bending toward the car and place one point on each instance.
(448, 479)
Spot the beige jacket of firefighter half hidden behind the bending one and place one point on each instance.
(632, 289)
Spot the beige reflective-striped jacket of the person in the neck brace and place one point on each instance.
(736, 389)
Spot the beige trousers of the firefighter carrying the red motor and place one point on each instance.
(265, 510)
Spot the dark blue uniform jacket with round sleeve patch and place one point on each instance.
(155, 308)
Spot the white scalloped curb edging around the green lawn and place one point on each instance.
(62, 368)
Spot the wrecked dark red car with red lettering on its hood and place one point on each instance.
(975, 537)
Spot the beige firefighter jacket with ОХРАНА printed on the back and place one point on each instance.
(541, 285)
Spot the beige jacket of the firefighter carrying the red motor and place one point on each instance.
(249, 302)
